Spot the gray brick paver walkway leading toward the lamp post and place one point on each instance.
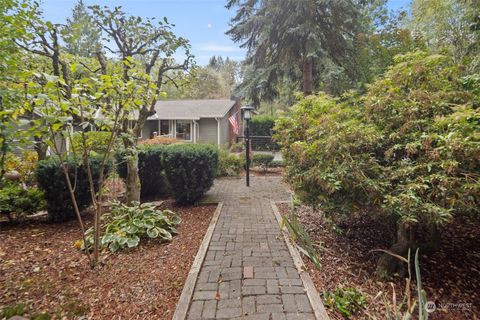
(248, 272)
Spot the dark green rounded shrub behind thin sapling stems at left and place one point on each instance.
(51, 180)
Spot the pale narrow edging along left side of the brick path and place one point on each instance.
(184, 301)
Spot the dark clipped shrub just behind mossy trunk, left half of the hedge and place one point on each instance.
(150, 169)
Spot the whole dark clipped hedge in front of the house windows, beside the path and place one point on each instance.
(185, 171)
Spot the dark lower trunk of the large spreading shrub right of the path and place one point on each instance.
(388, 265)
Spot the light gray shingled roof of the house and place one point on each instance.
(192, 109)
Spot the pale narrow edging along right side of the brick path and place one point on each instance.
(312, 293)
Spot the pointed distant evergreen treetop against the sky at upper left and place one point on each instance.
(82, 35)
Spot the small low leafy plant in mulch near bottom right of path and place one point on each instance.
(348, 301)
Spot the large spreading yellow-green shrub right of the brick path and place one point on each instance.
(407, 150)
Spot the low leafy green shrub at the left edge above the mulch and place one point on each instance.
(17, 201)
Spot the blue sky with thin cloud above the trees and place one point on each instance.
(202, 22)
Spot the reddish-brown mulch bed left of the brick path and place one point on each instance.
(40, 267)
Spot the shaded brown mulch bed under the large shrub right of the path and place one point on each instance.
(450, 276)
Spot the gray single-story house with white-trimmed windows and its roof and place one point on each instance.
(194, 121)
